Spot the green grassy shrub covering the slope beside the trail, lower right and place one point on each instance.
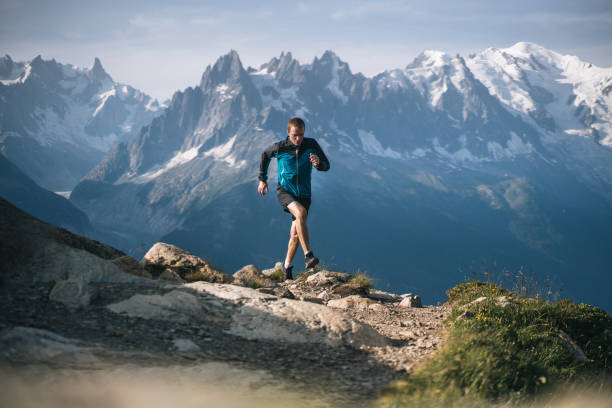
(506, 352)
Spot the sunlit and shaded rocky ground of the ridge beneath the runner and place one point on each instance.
(70, 314)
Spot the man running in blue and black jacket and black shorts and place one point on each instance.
(296, 155)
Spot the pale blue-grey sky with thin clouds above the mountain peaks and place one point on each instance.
(160, 47)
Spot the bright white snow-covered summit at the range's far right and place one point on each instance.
(559, 93)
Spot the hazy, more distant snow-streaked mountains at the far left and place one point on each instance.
(57, 121)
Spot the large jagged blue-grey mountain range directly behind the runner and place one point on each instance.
(498, 161)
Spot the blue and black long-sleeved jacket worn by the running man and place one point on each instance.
(294, 166)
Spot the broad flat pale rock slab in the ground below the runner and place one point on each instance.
(270, 318)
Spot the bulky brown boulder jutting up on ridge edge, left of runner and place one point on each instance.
(165, 257)
